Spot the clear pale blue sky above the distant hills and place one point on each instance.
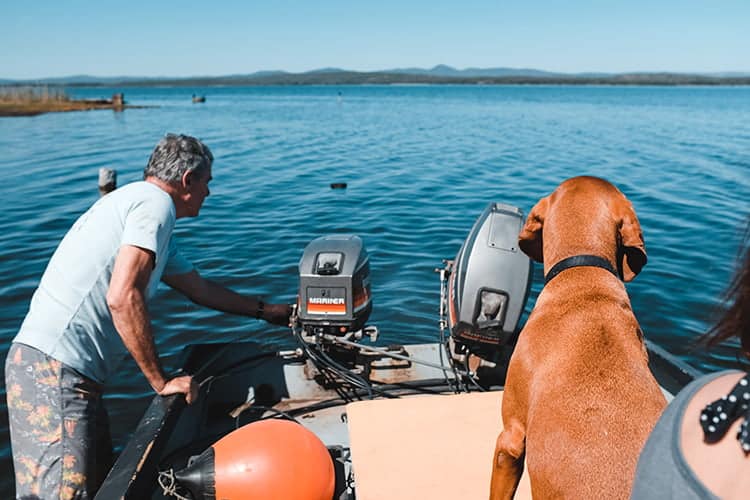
(165, 38)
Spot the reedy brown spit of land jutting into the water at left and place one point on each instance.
(34, 100)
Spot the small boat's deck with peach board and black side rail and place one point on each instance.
(415, 438)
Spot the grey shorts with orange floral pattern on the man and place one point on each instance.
(59, 430)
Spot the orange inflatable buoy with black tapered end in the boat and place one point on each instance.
(267, 459)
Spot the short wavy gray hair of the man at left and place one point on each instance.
(175, 155)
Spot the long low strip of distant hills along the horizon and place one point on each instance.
(440, 74)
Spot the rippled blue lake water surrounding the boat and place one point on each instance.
(421, 163)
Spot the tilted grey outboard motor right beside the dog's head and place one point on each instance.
(488, 285)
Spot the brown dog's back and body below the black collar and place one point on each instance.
(591, 398)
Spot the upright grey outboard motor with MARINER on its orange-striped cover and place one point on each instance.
(334, 286)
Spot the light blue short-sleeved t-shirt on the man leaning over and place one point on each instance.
(68, 318)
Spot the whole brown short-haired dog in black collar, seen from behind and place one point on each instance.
(579, 399)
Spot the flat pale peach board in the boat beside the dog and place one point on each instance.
(426, 446)
